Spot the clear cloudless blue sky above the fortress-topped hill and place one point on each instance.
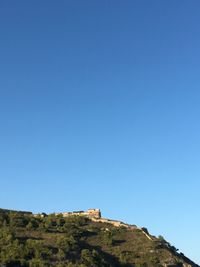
(100, 107)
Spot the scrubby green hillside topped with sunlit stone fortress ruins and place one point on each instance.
(81, 239)
